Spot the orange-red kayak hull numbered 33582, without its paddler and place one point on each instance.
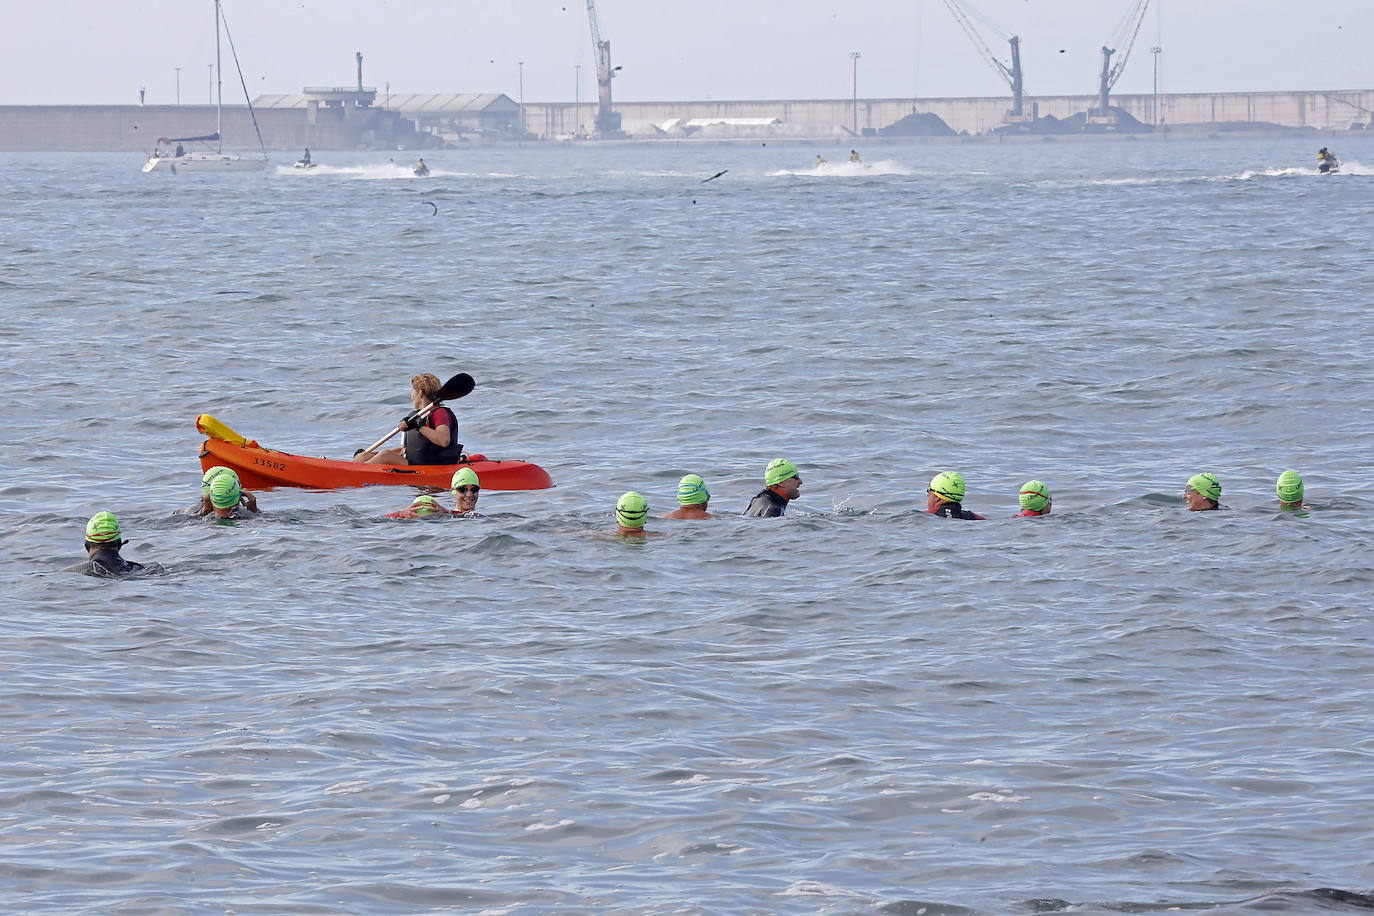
(266, 469)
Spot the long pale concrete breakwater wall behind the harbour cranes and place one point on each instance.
(291, 128)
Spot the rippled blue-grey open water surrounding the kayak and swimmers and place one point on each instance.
(855, 709)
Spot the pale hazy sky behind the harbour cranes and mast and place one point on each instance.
(102, 51)
